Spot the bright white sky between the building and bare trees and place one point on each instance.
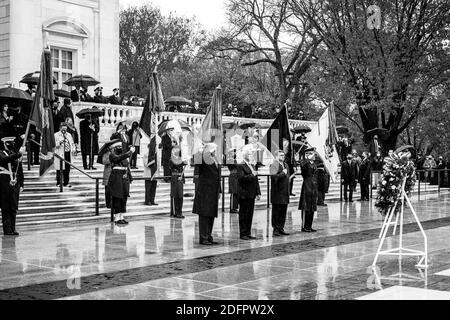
(210, 13)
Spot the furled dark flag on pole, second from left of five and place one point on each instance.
(149, 121)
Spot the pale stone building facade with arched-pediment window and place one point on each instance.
(83, 36)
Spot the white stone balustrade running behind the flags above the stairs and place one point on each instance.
(115, 114)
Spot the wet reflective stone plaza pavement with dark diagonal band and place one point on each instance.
(160, 258)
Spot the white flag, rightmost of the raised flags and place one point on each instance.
(323, 138)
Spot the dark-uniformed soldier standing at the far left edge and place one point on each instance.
(11, 183)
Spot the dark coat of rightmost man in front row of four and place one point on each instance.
(308, 196)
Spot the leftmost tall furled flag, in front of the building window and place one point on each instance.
(41, 114)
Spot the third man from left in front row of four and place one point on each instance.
(279, 194)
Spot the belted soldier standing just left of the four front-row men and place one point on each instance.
(177, 181)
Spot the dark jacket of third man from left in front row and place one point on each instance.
(279, 192)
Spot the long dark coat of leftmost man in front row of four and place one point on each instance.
(208, 190)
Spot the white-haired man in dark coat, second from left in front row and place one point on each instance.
(248, 191)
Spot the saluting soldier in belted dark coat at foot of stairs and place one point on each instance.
(119, 181)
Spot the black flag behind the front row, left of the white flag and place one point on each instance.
(279, 137)
